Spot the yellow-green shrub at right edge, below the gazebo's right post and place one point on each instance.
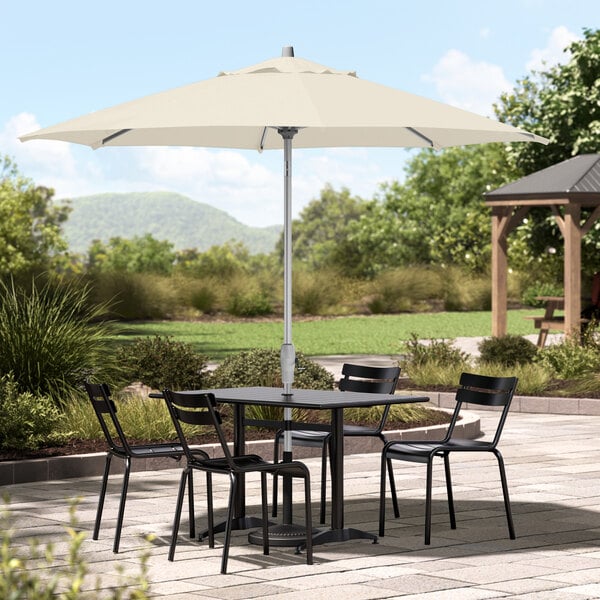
(569, 360)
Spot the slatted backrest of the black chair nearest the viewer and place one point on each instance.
(196, 409)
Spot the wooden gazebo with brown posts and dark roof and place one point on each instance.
(566, 189)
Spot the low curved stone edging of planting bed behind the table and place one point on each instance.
(92, 465)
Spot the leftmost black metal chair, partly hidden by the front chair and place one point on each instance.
(118, 445)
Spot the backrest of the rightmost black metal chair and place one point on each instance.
(484, 391)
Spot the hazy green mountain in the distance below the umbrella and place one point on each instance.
(166, 216)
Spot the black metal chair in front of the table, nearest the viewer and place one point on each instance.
(201, 409)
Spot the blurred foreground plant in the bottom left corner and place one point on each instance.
(36, 574)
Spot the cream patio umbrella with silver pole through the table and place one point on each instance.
(271, 105)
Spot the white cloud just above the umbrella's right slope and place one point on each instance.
(463, 82)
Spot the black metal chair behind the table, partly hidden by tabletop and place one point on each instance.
(355, 378)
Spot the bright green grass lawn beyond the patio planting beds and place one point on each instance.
(375, 334)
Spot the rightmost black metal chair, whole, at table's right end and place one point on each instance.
(474, 389)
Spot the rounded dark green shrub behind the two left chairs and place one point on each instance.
(163, 363)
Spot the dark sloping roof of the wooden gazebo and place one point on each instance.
(576, 179)
